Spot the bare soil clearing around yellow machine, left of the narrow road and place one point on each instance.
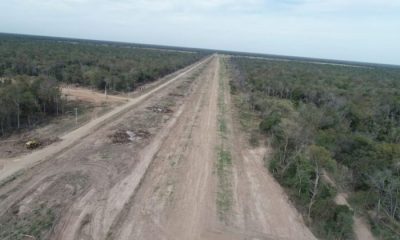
(90, 104)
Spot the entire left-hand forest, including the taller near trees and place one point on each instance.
(31, 70)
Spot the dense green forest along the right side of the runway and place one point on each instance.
(334, 129)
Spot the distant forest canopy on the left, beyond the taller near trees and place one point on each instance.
(117, 68)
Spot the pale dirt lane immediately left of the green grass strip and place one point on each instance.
(176, 198)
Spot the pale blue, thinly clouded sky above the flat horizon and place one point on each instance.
(357, 30)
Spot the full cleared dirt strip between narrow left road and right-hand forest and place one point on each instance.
(164, 186)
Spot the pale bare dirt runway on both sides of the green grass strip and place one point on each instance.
(177, 199)
